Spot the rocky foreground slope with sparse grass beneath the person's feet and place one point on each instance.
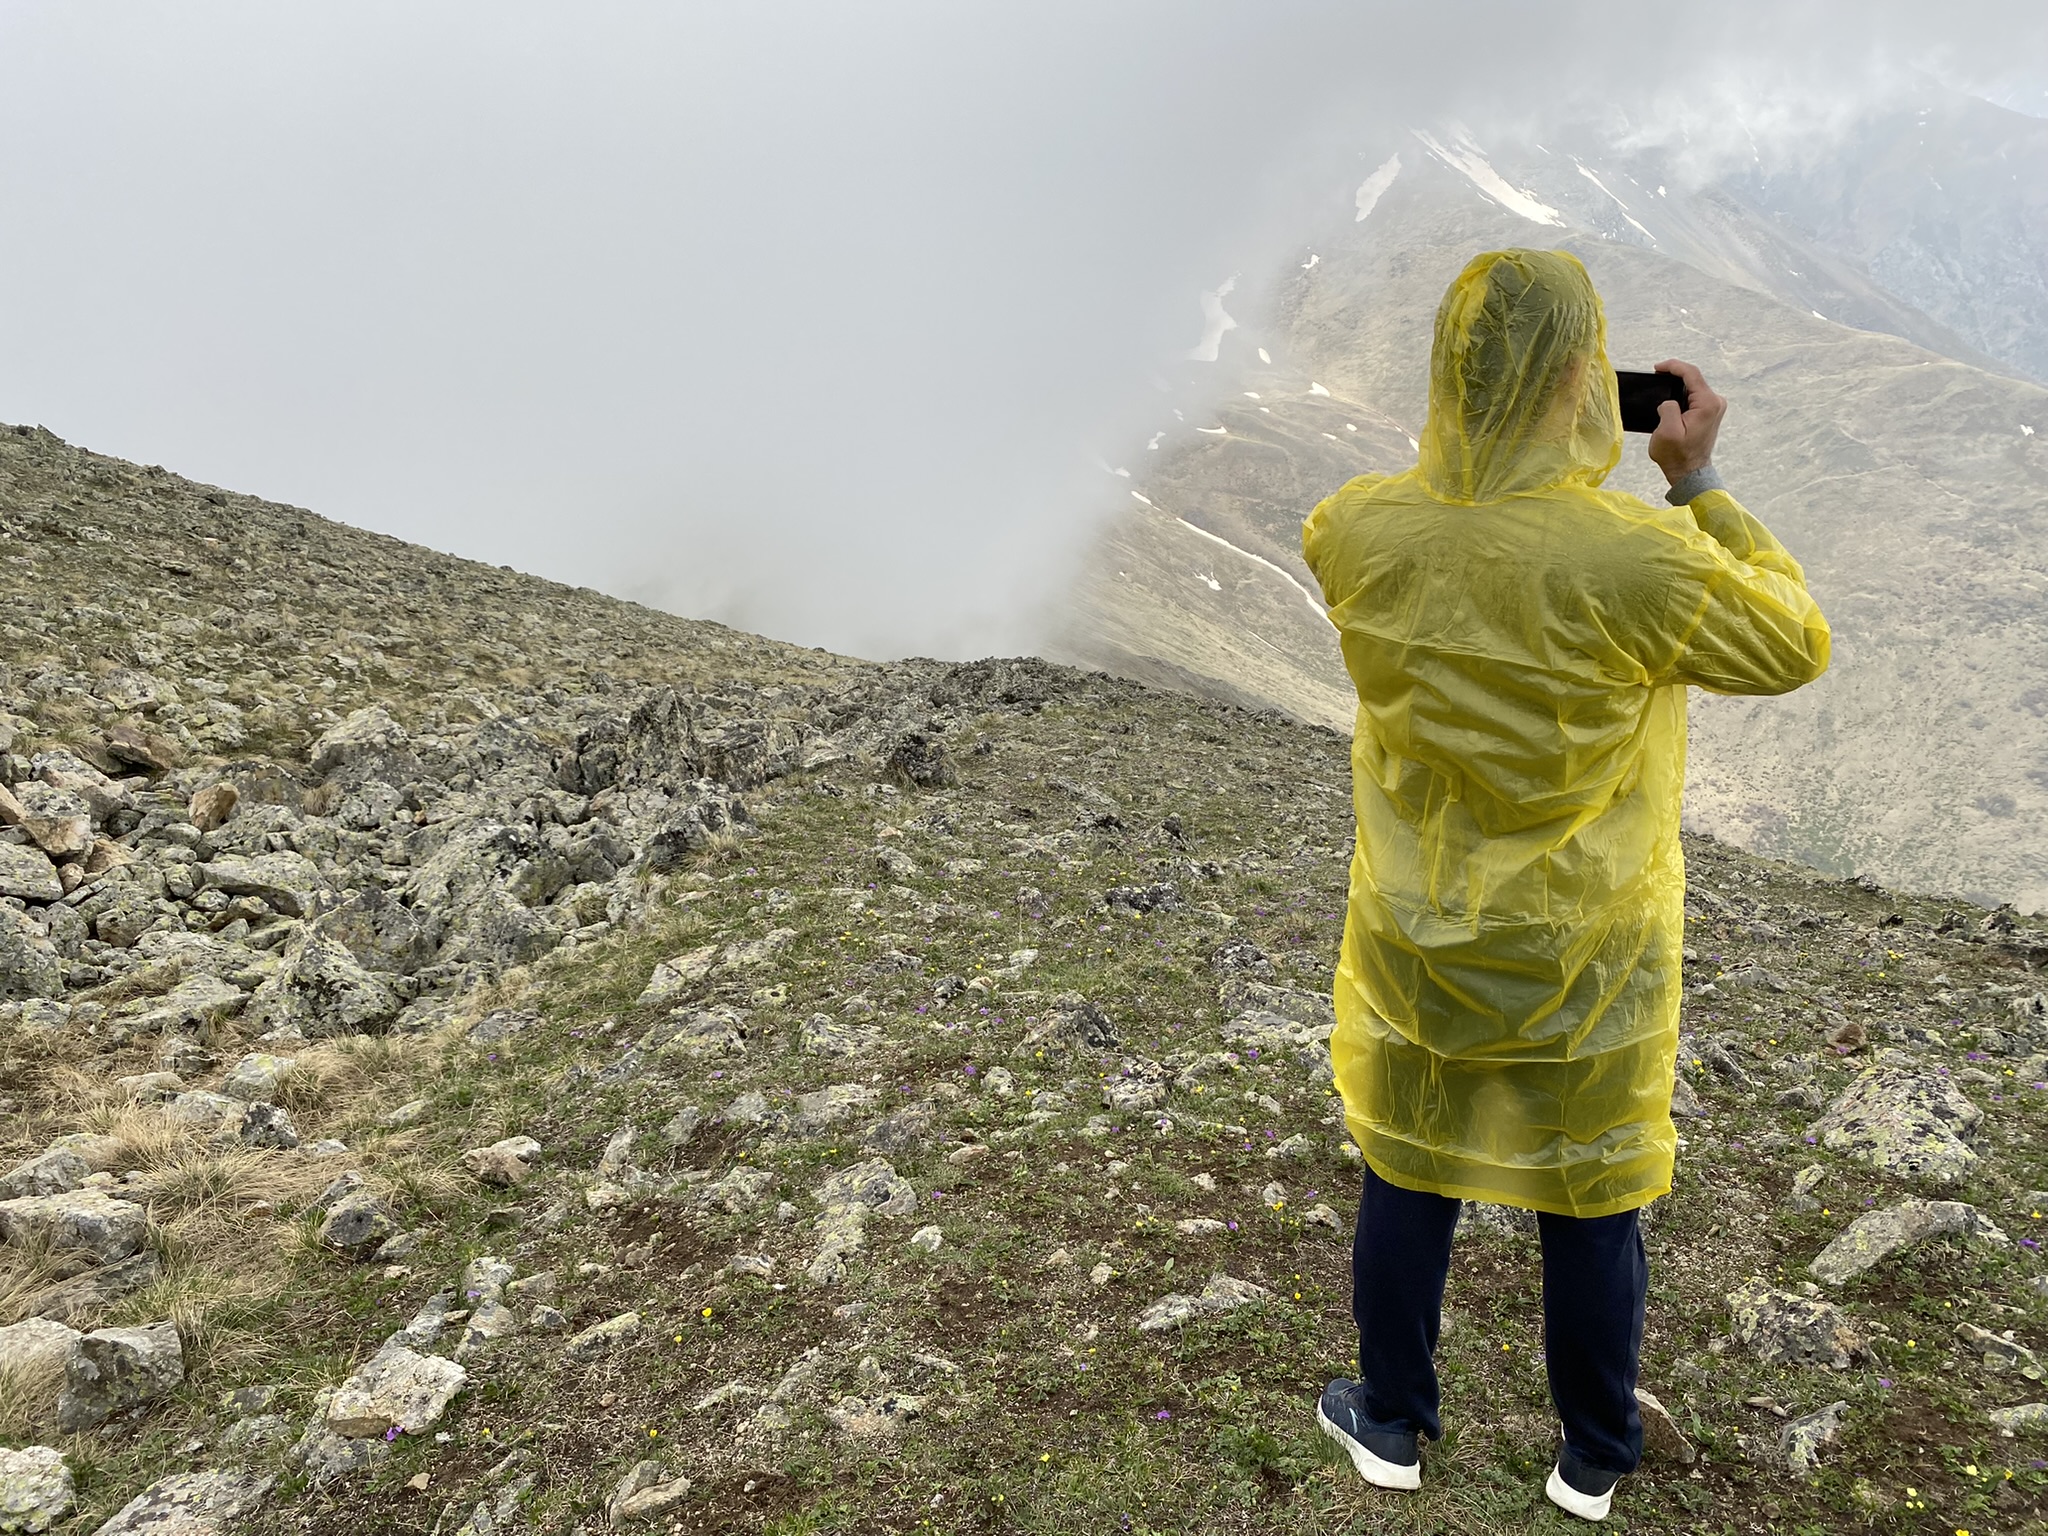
(484, 1058)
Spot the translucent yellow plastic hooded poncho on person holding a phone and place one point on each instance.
(1523, 642)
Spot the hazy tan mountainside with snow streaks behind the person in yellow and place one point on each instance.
(1912, 484)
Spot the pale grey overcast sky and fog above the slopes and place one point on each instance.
(816, 318)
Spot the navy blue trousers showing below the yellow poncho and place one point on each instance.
(1594, 1285)
